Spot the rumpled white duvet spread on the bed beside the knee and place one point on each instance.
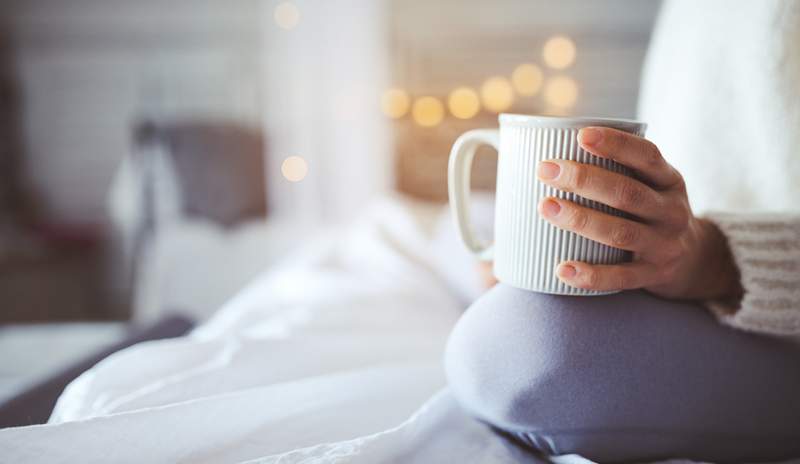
(333, 356)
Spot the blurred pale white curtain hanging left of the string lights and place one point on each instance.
(323, 81)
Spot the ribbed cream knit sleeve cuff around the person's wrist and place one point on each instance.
(766, 248)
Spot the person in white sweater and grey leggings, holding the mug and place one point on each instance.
(653, 374)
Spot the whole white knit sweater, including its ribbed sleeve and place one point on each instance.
(721, 94)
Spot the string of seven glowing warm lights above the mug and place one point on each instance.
(497, 94)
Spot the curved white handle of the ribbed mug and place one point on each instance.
(458, 180)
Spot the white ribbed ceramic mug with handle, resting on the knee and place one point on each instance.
(527, 248)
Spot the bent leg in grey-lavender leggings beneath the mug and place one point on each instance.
(625, 377)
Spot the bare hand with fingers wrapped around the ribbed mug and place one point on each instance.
(675, 254)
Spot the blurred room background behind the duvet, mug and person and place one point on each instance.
(156, 155)
